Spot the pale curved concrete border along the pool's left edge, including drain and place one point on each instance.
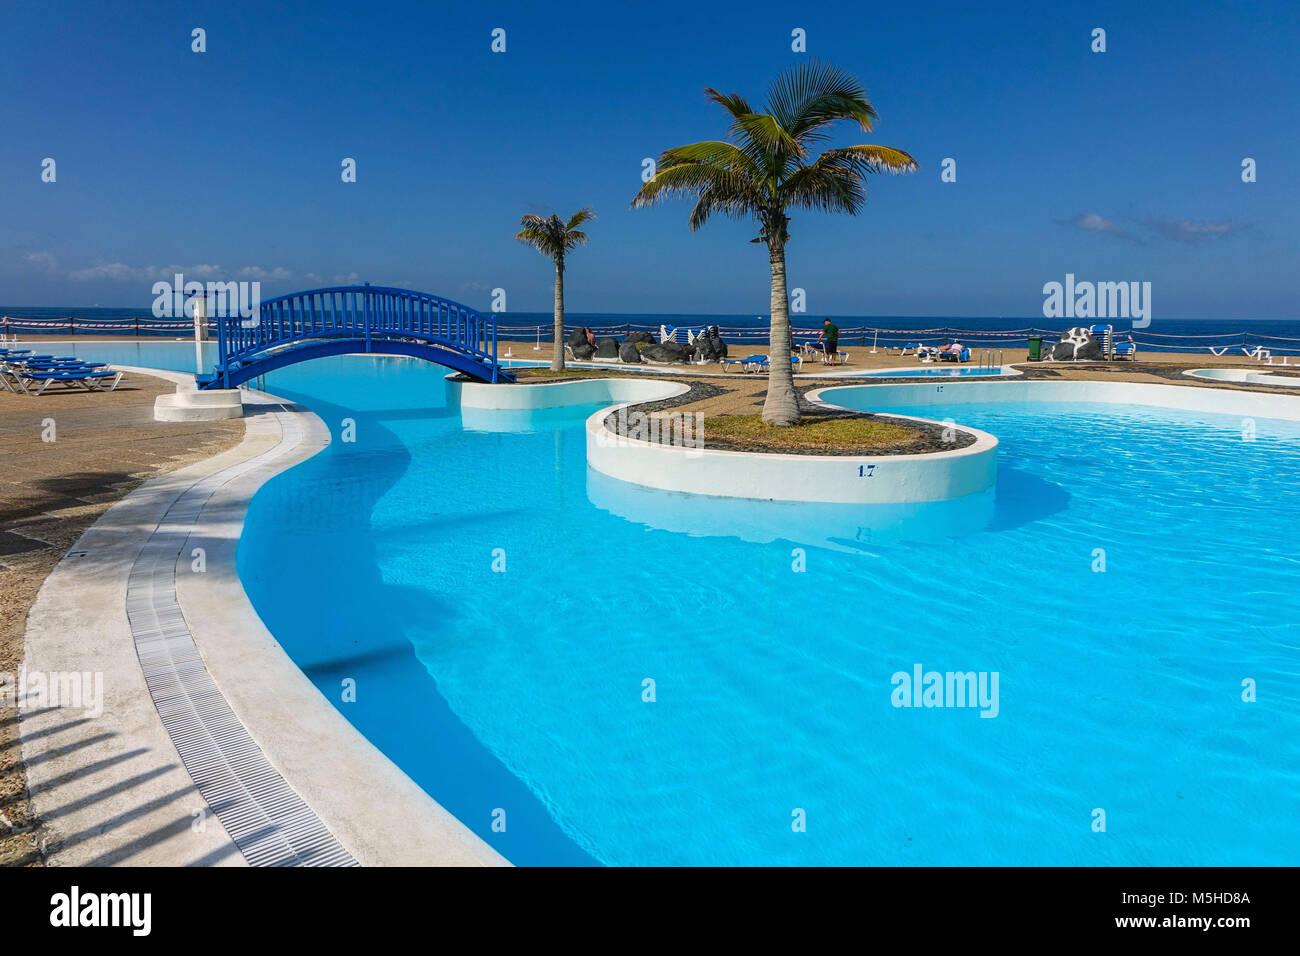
(258, 765)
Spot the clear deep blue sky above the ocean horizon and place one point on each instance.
(1117, 166)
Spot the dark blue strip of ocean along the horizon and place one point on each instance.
(1281, 336)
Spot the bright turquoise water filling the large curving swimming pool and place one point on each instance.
(1119, 690)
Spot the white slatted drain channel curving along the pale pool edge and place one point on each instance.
(263, 815)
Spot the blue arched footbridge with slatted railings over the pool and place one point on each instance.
(354, 319)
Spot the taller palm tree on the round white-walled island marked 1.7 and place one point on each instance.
(766, 168)
